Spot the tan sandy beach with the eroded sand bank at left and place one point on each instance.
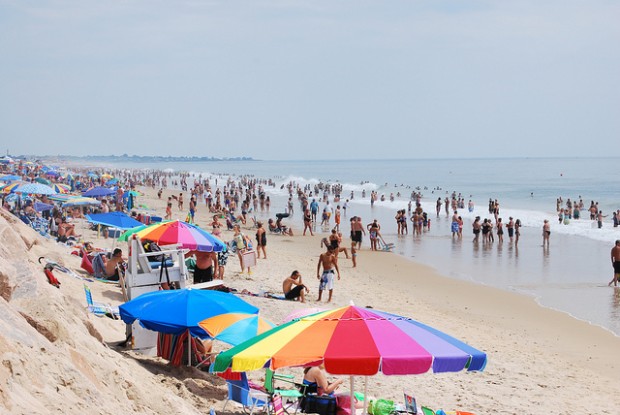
(58, 358)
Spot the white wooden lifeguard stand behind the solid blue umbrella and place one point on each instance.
(142, 277)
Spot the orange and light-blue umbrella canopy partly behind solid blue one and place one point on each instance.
(235, 328)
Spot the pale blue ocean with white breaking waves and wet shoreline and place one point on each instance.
(571, 276)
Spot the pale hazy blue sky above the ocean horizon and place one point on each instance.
(295, 80)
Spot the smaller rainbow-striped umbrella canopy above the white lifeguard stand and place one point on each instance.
(185, 234)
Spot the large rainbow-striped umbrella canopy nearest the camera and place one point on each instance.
(383, 342)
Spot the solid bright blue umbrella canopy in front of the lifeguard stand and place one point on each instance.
(175, 311)
